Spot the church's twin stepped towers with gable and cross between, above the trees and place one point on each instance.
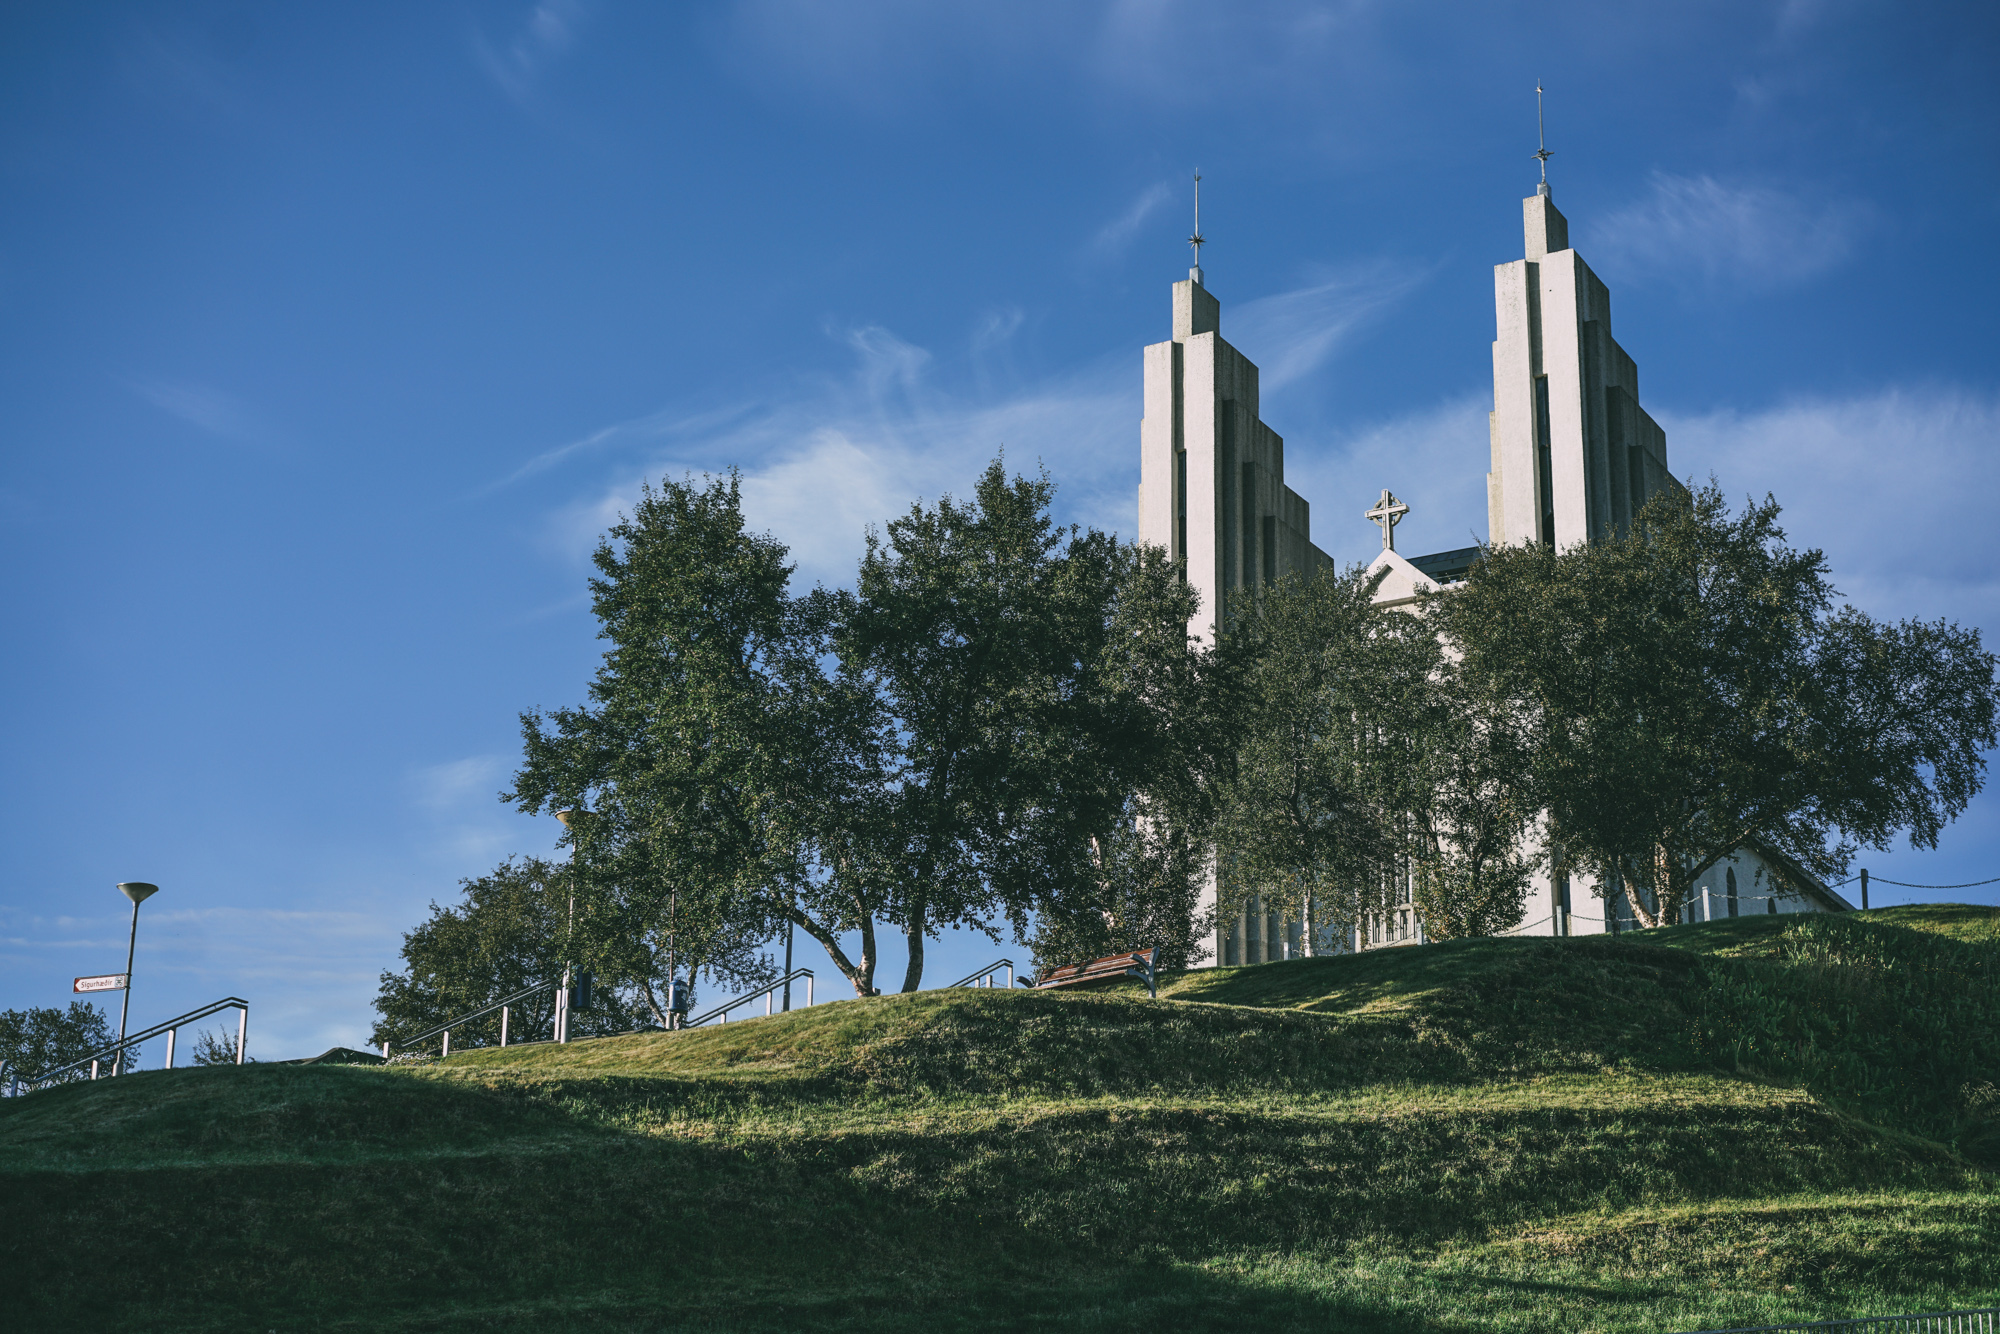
(1573, 451)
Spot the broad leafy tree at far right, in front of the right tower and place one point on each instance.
(1691, 689)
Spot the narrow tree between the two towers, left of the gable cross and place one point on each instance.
(1325, 701)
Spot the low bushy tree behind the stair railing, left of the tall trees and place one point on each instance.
(509, 933)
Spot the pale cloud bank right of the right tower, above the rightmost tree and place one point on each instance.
(1897, 487)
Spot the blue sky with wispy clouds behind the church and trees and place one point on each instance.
(335, 335)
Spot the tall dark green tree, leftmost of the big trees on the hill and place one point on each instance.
(725, 759)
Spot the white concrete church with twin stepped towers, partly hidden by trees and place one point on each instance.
(1573, 455)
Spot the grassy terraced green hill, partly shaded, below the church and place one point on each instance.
(1755, 1121)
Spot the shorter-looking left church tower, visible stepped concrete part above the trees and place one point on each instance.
(1211, 473)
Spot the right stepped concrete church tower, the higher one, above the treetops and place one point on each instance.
(1573, 453)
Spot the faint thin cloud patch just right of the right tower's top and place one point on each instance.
(1695, 231)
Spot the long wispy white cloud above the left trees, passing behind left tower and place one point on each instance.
(825, 459)
